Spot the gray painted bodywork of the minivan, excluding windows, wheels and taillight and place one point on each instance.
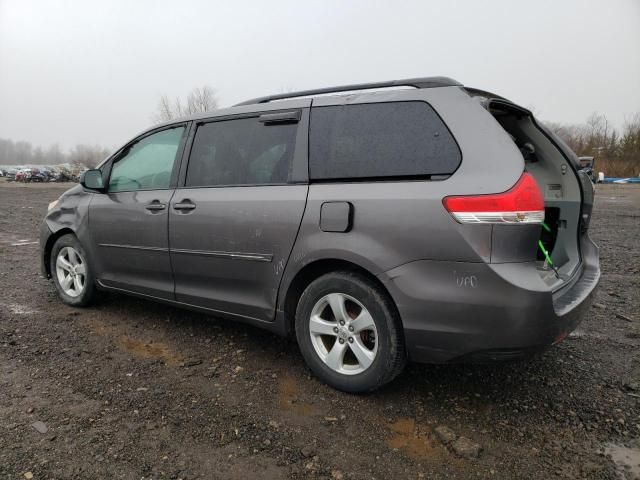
(459, 289)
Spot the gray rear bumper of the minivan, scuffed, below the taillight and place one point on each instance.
(454, 311)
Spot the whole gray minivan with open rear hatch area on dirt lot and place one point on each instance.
(407, 220)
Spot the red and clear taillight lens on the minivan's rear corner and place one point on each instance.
(523, 203)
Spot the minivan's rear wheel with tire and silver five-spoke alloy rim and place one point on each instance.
(349, 332)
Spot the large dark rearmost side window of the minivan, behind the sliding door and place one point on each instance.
(393, 139)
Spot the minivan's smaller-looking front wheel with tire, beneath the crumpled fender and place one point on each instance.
(72, 275)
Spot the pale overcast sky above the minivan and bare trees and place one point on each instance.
(92, 71)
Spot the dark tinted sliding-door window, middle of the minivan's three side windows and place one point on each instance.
(241, 152)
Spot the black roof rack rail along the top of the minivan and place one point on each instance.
(426, 82)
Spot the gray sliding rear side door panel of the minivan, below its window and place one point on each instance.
(246, 220)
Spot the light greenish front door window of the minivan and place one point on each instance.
(147, 165)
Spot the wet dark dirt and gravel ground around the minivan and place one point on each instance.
(134, 389)
